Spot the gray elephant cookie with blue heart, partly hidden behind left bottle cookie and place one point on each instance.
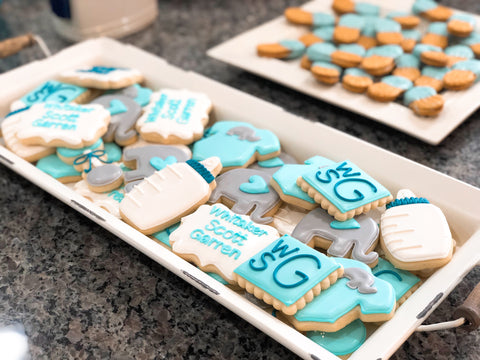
(148, 159)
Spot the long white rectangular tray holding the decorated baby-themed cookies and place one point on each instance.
(458, 200)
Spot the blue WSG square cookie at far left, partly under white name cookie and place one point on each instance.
(55, 91)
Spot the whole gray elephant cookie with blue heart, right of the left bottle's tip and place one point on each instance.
(246, 192)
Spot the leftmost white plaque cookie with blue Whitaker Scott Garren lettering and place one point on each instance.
(69, 125)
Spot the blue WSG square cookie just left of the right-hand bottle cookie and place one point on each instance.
(344, 190)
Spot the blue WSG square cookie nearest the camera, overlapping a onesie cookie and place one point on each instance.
(274, 274)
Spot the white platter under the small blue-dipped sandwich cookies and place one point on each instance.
(240, 51)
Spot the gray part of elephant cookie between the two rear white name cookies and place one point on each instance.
(122, 126)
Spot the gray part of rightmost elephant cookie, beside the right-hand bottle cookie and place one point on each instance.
(317, 223)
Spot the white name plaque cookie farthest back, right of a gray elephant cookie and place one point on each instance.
(174, 117)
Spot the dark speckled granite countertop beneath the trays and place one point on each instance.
(79, 292)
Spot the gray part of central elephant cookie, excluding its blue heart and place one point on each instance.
(228, 186)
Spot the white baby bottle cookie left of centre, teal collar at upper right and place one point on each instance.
(183, 186)
